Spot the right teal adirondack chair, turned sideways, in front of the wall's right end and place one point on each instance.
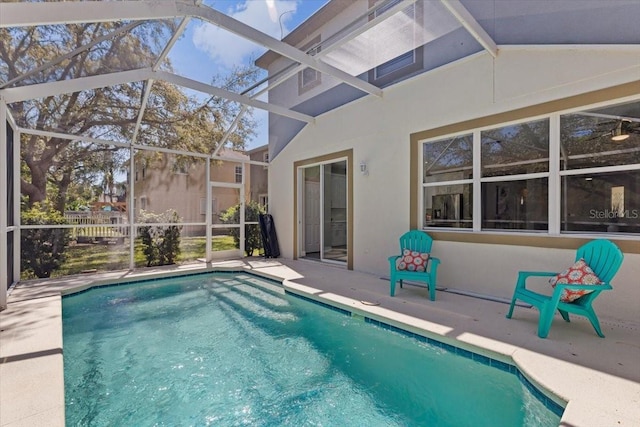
(604, 258)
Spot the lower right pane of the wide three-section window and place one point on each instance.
(601, 202)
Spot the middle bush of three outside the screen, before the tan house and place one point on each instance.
(161, 243)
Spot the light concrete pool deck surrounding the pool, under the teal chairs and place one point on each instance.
(599, 378)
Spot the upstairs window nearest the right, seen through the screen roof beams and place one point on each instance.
(404, 64)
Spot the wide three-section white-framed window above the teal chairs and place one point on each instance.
(518, 177)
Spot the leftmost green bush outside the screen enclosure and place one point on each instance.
(43, 249)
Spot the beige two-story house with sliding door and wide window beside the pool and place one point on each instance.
(498, 142)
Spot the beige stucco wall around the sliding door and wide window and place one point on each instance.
(378, 130)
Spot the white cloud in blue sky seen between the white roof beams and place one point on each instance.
(227, 49)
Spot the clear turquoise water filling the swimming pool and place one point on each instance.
(233, 349)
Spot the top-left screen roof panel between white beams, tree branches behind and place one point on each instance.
(49, 53)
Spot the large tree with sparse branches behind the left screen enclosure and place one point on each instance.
(53, 166)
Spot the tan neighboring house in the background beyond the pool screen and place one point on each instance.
(187, 182)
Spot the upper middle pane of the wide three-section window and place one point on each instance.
(516, 149)
